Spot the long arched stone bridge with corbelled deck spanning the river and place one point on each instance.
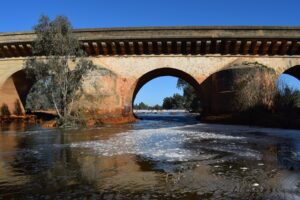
(130, 57)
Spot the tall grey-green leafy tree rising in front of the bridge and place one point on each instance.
(61, 70)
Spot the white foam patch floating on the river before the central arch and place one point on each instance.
(163, 144)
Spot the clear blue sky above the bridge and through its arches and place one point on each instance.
(20, 15)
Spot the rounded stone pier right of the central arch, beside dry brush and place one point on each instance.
(220, 92)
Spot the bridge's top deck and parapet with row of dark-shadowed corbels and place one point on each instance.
(236, 40)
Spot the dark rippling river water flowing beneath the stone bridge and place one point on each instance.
(163, 156)
